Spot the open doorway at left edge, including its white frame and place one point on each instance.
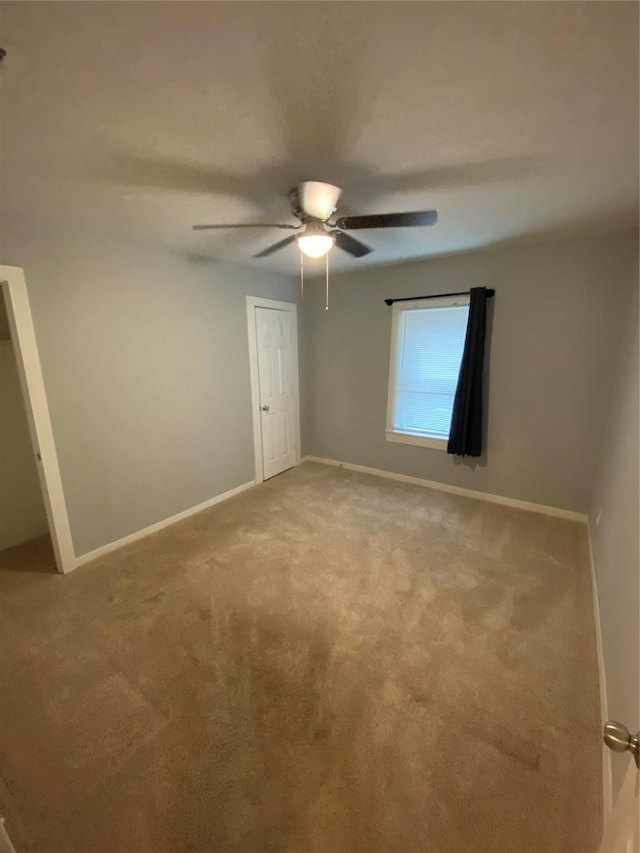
(34, 527)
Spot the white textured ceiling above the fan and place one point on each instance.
(141, 118)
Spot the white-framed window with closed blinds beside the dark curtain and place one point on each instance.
(427, 341)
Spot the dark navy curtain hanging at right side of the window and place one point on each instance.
(465, 434)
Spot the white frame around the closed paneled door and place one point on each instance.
(254, 302)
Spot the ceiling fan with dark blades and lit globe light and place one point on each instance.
(313, 203)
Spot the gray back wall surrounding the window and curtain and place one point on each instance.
(555, 320)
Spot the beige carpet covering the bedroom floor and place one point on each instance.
(328, 663)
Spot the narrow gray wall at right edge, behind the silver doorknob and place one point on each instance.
(614, 539)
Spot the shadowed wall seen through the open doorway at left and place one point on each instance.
(22, 515)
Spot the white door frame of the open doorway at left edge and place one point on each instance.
(25, 348)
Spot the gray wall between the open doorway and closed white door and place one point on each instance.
(145, 363)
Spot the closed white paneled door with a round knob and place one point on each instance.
(277, 397)
